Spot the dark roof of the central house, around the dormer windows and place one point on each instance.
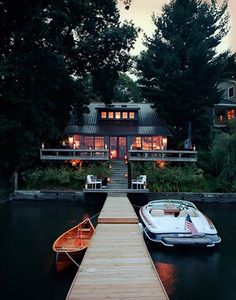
(148, 122)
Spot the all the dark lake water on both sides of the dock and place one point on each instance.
(27, 269)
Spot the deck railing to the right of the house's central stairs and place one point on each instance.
(163, 155)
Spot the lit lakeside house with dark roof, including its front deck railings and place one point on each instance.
(119, 131)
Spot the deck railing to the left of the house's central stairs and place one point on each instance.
(74, 154)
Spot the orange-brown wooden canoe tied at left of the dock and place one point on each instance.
(72, 243)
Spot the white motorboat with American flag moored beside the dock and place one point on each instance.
(174, 222)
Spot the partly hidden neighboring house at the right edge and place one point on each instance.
(226, 109)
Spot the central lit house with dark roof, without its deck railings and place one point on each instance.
(119, 127)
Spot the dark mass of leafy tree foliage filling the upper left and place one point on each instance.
(48, 50)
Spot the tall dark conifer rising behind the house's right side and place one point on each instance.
(180, 69)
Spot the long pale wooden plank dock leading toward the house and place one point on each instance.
(117, 264)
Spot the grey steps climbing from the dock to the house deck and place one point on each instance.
(118, 179)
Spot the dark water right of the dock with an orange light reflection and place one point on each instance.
(196, 273)
